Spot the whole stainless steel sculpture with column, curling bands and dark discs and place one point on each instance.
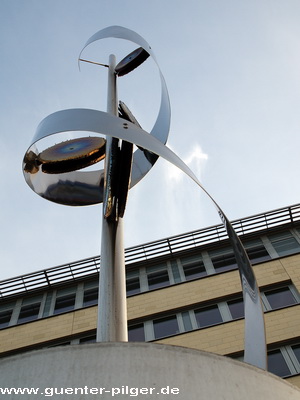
(54, 173)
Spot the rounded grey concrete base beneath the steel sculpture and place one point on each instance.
(146, 370)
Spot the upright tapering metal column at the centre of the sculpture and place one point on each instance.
(112, 308)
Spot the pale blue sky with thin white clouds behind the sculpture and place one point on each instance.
(233, 74)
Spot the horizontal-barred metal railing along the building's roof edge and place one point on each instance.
(90, 266)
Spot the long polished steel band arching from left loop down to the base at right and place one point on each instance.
(106, 124)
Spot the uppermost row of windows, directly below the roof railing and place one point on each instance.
(149, 278)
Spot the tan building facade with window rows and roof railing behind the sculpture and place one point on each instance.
(184, 291)
